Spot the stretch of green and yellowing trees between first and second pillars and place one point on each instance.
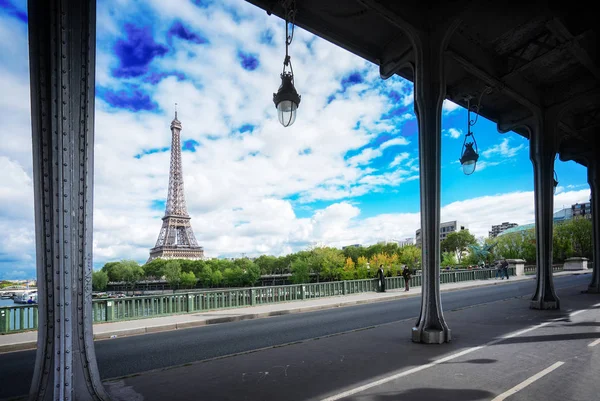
(316, 264)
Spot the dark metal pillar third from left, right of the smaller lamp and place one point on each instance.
(542, 153)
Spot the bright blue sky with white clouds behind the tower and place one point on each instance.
(346, 172)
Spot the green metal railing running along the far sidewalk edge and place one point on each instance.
(24, 317)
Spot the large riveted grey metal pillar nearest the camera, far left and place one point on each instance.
(62, 64)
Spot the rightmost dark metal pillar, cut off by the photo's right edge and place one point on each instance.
(594, 181)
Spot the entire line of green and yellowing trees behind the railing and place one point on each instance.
(459, 249)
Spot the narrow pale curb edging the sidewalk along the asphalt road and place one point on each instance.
(28, 345)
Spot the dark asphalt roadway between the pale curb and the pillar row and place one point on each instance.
(129, 355)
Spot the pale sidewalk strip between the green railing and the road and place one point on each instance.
(28, 340)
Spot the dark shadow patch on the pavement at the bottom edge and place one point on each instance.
(428, 394)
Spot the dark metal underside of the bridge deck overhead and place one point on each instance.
(536, 57)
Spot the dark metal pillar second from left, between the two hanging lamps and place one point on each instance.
(430, 91)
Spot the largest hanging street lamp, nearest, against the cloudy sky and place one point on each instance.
(287, 98)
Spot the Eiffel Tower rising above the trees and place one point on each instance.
(176, 239)
